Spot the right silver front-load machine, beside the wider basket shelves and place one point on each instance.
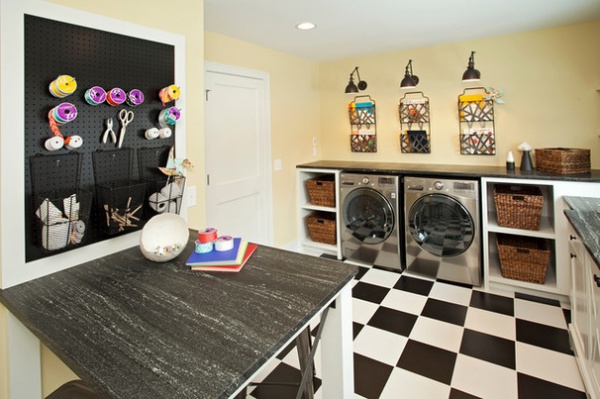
(442, 229)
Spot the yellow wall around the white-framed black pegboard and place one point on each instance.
(159, 16)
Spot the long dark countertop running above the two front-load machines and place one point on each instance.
(468, 171)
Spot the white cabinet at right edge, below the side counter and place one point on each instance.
(585, 313)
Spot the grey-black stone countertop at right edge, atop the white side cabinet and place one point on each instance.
(586, 221)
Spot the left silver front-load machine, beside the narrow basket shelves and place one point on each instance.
(370, 230)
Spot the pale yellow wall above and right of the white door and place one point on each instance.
(295, 119)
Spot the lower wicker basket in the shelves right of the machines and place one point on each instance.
(523, 258)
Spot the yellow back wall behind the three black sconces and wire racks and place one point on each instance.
(549, 77)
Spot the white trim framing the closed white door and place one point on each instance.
(265, 77)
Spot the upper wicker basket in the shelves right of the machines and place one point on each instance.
(519, 207)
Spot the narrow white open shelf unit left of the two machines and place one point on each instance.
(306, 208)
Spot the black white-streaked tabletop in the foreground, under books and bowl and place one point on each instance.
(137, 329)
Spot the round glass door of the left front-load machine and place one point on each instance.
(369, 215)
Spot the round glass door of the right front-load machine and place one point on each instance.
(441, 225)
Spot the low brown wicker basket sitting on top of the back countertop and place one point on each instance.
(563, 161)
